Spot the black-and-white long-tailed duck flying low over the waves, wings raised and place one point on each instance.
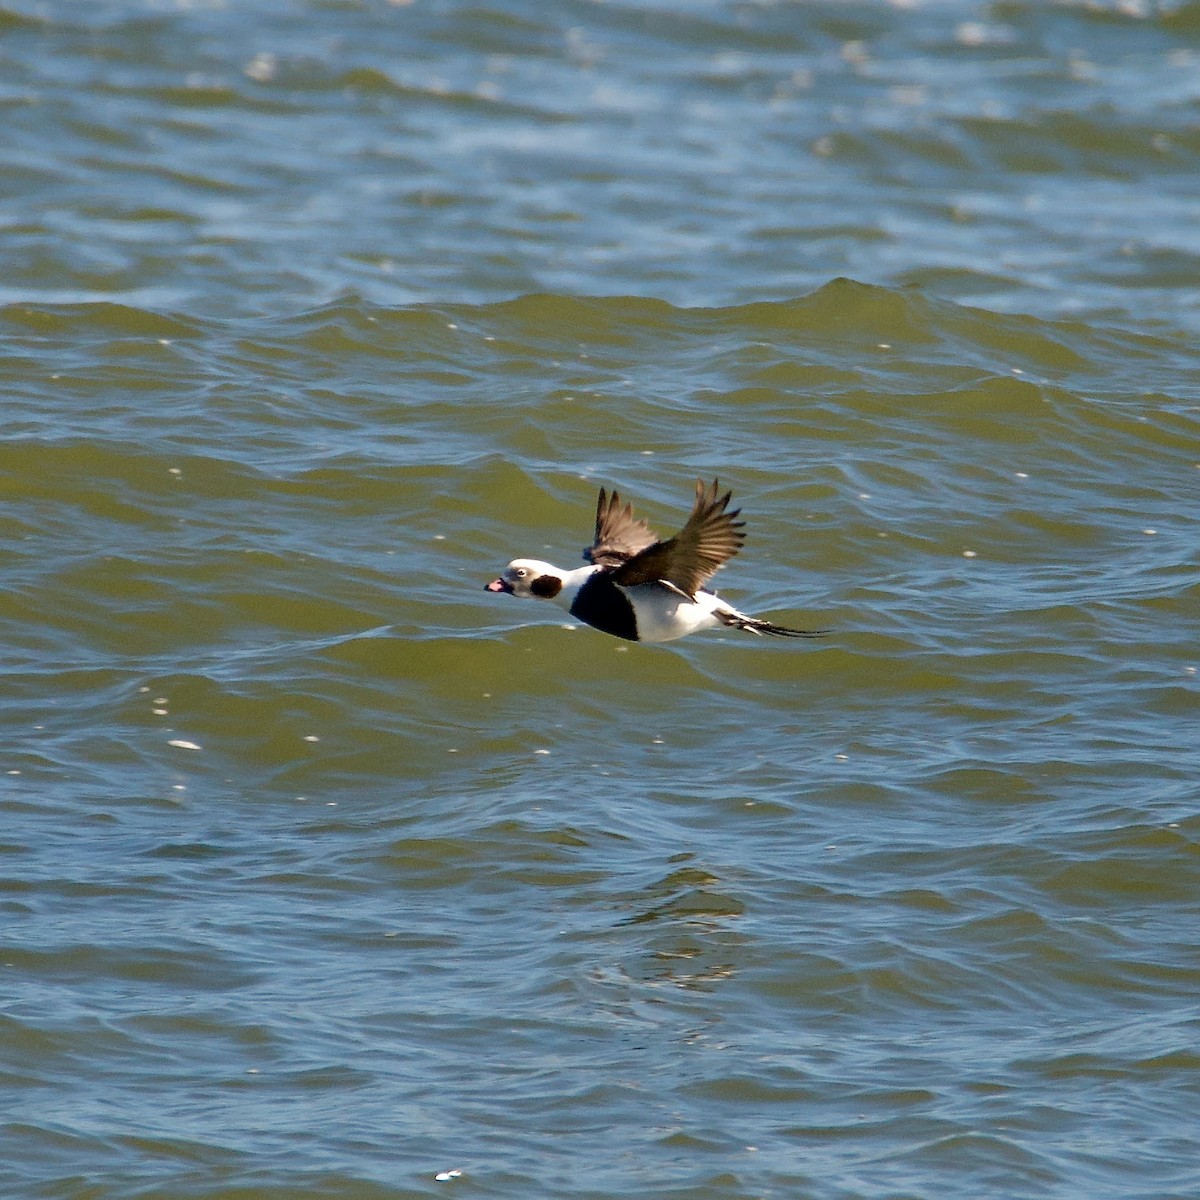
(644, 589)
